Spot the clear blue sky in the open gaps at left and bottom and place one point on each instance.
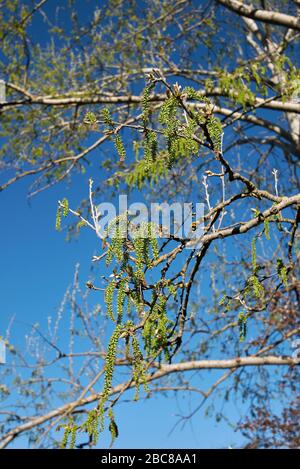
(37, 265)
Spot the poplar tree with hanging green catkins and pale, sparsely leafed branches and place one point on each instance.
(195, 100)
